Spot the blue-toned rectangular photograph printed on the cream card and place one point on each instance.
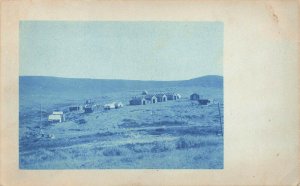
(121, 95)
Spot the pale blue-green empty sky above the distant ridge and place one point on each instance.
(121, 50)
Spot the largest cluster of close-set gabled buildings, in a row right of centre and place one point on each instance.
(147, 98)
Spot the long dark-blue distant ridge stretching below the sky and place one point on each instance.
(31, 84)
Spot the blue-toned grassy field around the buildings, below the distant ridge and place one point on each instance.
(169, 135)
